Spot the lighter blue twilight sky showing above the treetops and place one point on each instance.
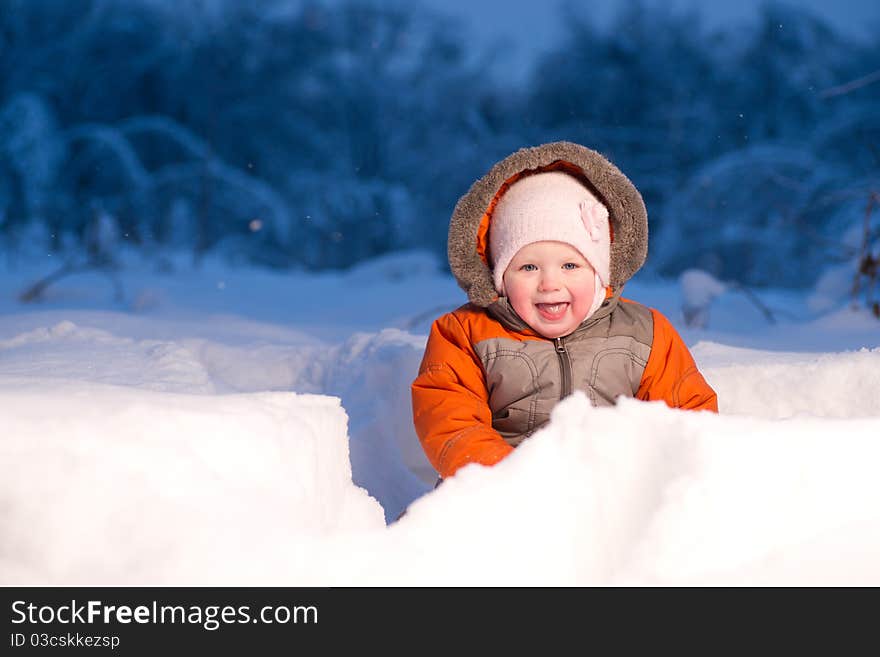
(528, 27)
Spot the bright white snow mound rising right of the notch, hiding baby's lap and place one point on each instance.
(642, 494)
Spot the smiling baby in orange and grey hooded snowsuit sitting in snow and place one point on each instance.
(543, 245)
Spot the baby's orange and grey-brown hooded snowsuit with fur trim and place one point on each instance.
(488, 381)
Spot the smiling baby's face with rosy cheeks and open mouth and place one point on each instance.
(551, 287)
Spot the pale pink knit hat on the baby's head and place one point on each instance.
(550, 206)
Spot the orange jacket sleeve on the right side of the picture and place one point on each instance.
(671, 373)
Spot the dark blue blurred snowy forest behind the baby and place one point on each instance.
(304, 136)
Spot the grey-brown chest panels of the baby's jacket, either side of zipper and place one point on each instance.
(608, 355)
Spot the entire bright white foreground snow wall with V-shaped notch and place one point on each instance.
(104, 485)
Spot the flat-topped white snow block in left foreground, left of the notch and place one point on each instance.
(105, 484)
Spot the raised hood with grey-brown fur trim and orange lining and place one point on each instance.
(470, 221)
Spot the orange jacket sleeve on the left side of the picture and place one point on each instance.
(451, 403)
